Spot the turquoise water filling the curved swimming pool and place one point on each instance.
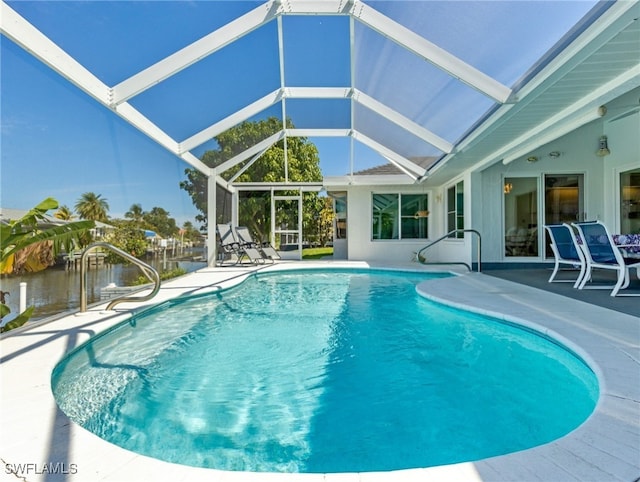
(332, 371)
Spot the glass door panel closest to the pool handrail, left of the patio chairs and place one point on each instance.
(521, 216)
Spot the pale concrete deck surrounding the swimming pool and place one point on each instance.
(41, 444)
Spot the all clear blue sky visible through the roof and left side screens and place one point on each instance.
(56, 141)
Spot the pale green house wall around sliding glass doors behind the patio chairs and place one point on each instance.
(578, 156)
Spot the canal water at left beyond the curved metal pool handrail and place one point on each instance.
(57, 289)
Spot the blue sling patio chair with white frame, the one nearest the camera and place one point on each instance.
(601, 252)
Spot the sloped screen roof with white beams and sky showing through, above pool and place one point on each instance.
(401, 80)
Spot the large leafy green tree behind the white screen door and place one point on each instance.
(303, 165)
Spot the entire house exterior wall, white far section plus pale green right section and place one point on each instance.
(485, 199)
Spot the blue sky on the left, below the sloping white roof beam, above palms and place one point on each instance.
(58, 142)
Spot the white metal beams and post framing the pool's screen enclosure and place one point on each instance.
(117, 97)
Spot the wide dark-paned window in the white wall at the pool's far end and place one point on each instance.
(400, 216)
